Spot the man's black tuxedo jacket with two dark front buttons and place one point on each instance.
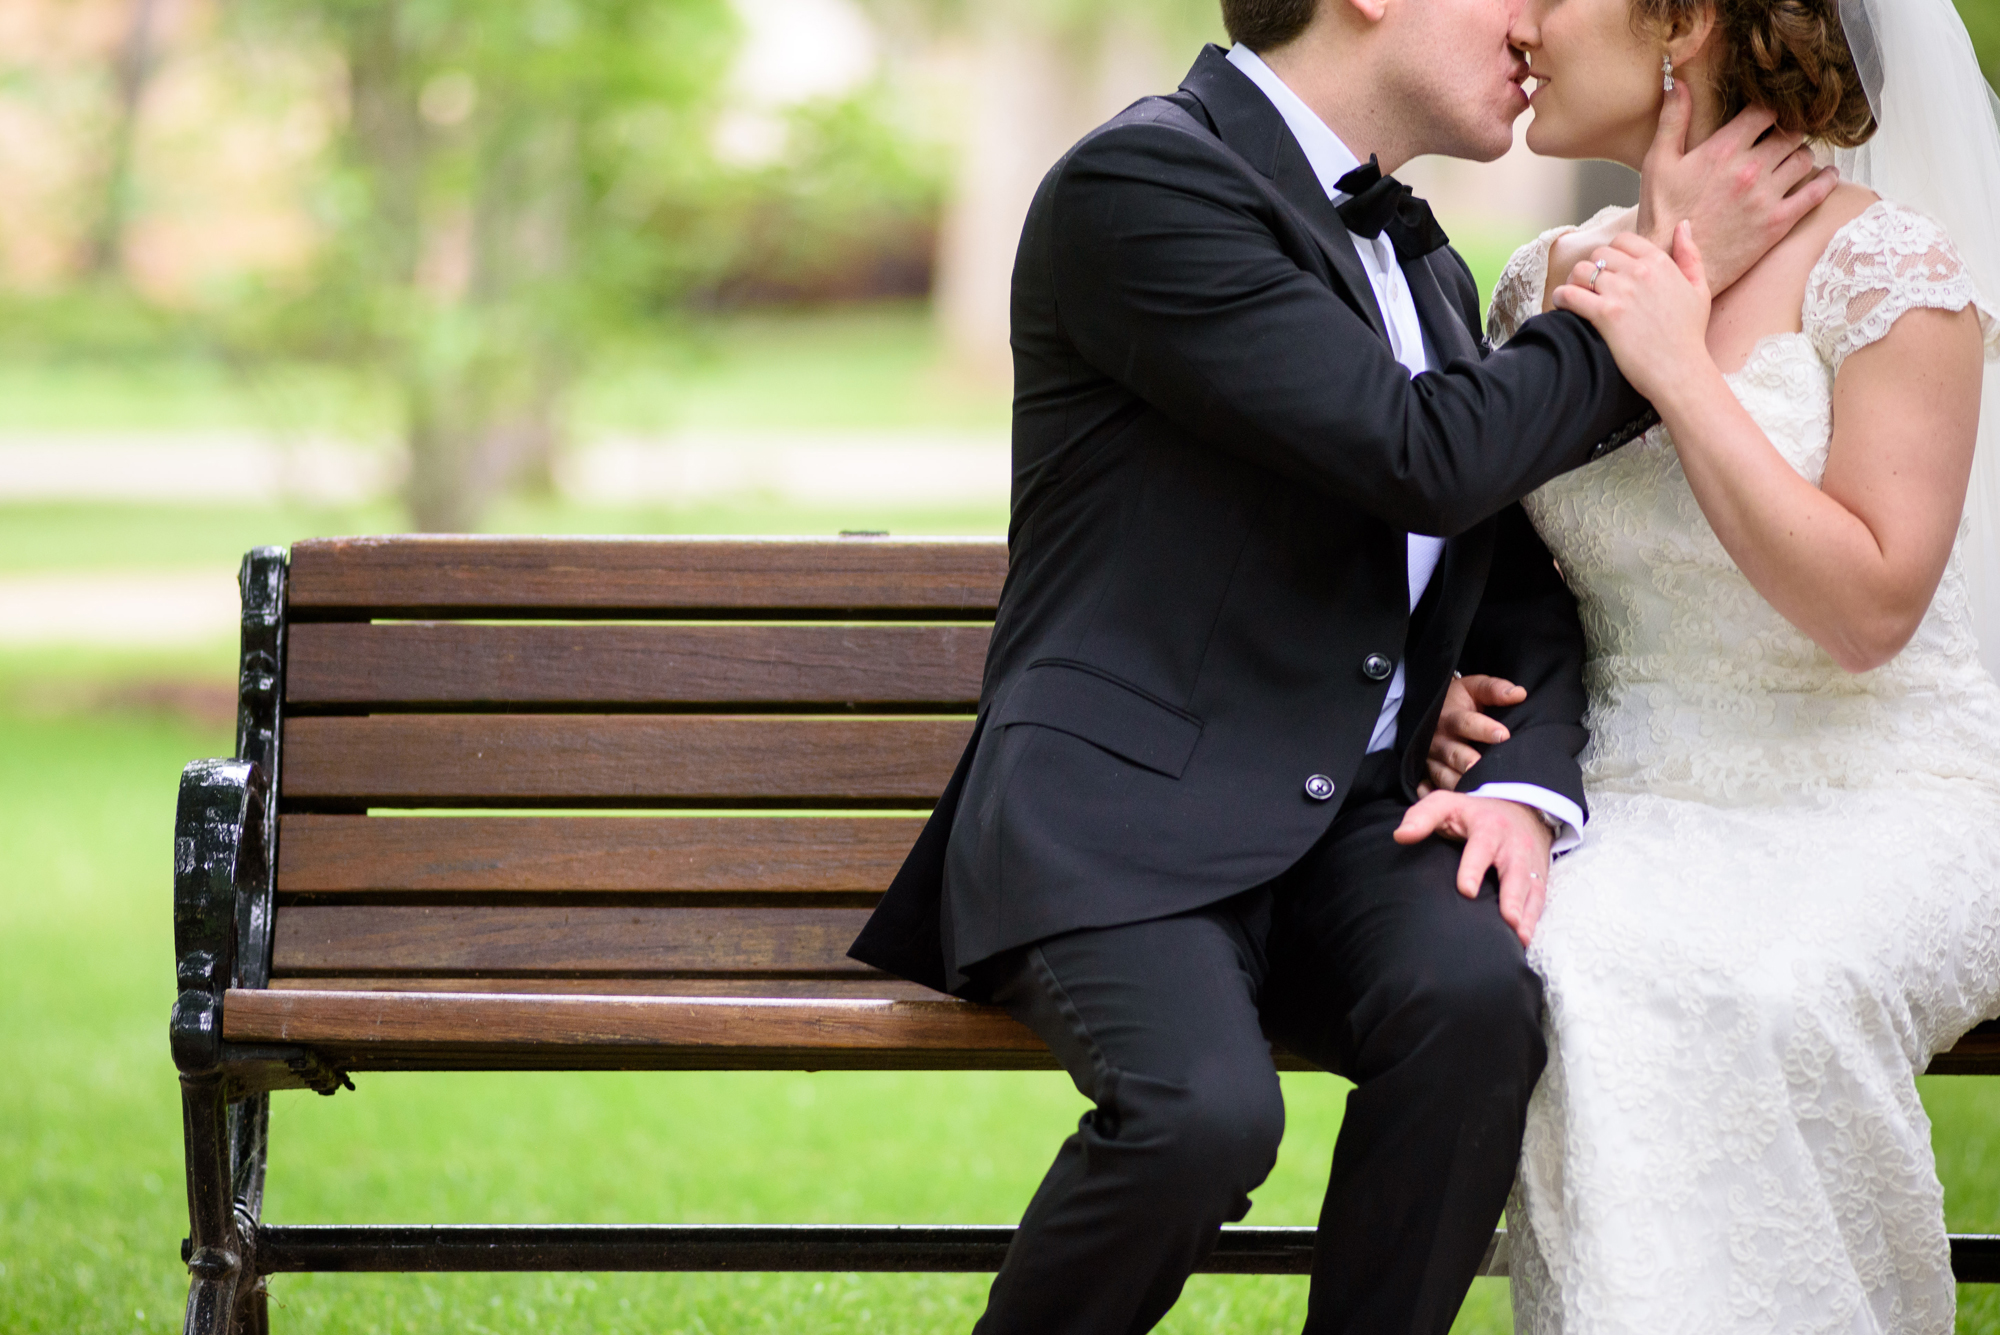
(1217, 463)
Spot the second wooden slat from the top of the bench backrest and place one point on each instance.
(581, 667)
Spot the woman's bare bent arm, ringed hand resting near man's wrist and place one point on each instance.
(1855, 561)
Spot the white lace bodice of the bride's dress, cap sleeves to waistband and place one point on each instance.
(1699, 688)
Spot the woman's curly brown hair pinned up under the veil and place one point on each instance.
(1787, 57)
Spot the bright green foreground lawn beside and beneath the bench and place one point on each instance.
(91, 1190)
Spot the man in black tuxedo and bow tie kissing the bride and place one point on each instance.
(1265, 503)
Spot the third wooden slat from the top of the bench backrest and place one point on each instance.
(635, 760)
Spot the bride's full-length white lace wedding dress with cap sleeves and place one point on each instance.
(1789, 896)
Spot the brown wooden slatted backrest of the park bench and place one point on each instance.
(613, 766)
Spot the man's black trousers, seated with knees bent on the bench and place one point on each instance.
(1365, 960)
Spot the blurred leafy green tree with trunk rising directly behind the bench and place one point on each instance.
(493, 211)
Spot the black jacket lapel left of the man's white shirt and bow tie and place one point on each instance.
(1257, 133)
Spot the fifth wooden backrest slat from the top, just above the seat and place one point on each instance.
(391, 938)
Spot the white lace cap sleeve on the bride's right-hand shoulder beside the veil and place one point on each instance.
(1883, 265)
